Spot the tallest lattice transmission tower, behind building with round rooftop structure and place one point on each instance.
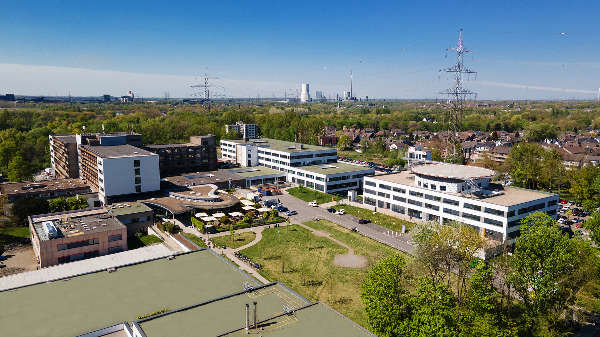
(457, 94)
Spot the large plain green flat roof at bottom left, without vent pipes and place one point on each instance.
(97, 300)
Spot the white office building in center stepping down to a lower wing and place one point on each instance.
(315, 167)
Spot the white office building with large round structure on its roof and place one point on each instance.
(448, 192)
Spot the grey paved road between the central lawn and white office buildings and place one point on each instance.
(375, 232)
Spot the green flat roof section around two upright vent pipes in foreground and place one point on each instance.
(221, 316)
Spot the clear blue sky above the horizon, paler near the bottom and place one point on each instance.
(522, 49)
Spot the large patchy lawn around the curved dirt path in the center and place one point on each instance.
(304, 263)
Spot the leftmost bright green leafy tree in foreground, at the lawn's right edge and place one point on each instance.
(385, 296)
